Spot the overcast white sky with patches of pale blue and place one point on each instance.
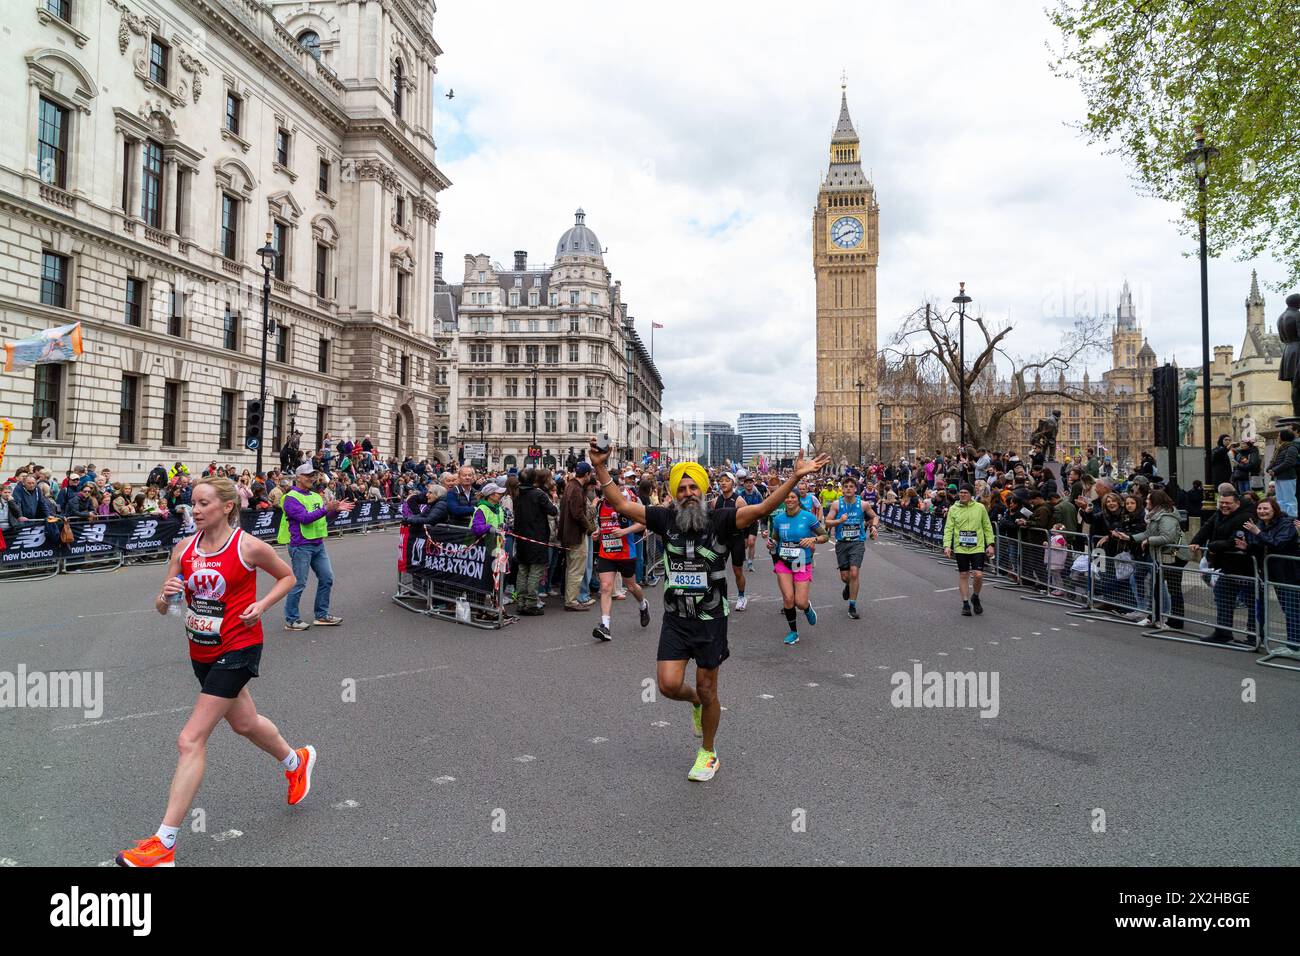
(695, 136)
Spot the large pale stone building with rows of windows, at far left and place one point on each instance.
(151, 149)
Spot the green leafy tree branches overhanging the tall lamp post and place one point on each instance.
(1154, 71)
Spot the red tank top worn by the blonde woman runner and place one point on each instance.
(219, 589)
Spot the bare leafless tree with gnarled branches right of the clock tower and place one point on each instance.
(922, 367)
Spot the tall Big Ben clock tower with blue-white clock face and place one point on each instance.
(846, 250)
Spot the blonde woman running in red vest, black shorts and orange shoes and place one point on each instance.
(219, 568)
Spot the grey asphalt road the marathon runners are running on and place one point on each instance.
(534, 745)
